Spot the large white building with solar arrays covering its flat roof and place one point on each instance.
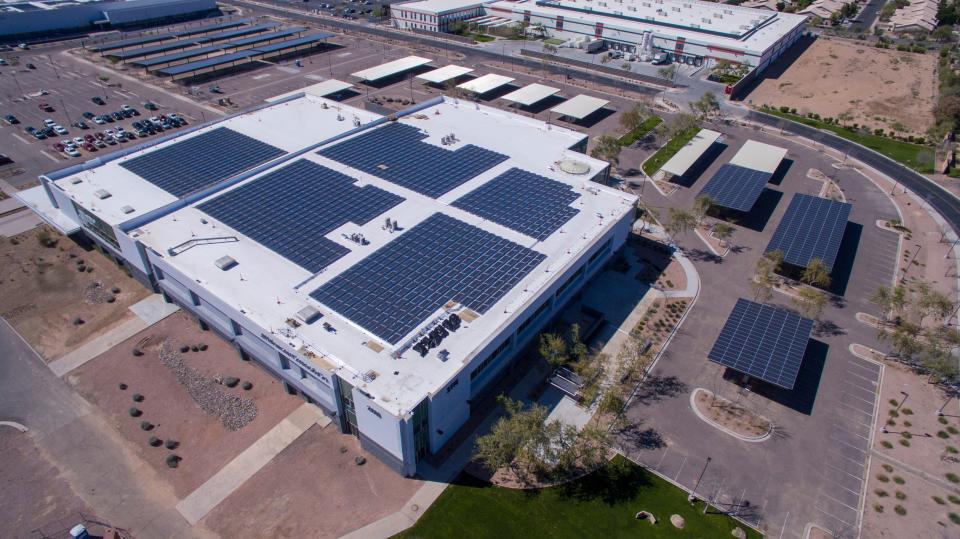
(385, 268)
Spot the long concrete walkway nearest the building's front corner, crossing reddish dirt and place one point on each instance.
(236, 472)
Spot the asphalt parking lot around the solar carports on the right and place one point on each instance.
(813, 468)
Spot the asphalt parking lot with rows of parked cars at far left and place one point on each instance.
(69, 85)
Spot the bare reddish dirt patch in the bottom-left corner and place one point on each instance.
(34, 494)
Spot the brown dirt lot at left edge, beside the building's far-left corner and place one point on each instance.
(42, 291)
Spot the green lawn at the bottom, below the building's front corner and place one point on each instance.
(602, 504)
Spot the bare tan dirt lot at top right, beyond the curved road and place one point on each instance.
(877, 87)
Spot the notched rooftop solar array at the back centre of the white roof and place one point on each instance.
(398, 154)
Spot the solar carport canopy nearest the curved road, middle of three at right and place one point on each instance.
(812, 228)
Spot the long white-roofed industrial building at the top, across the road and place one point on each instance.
(686, 31)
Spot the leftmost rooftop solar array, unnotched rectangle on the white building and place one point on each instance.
(201, 161)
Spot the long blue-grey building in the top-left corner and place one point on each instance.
(23, 20)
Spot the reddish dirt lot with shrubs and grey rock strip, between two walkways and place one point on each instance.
(204, 443)
